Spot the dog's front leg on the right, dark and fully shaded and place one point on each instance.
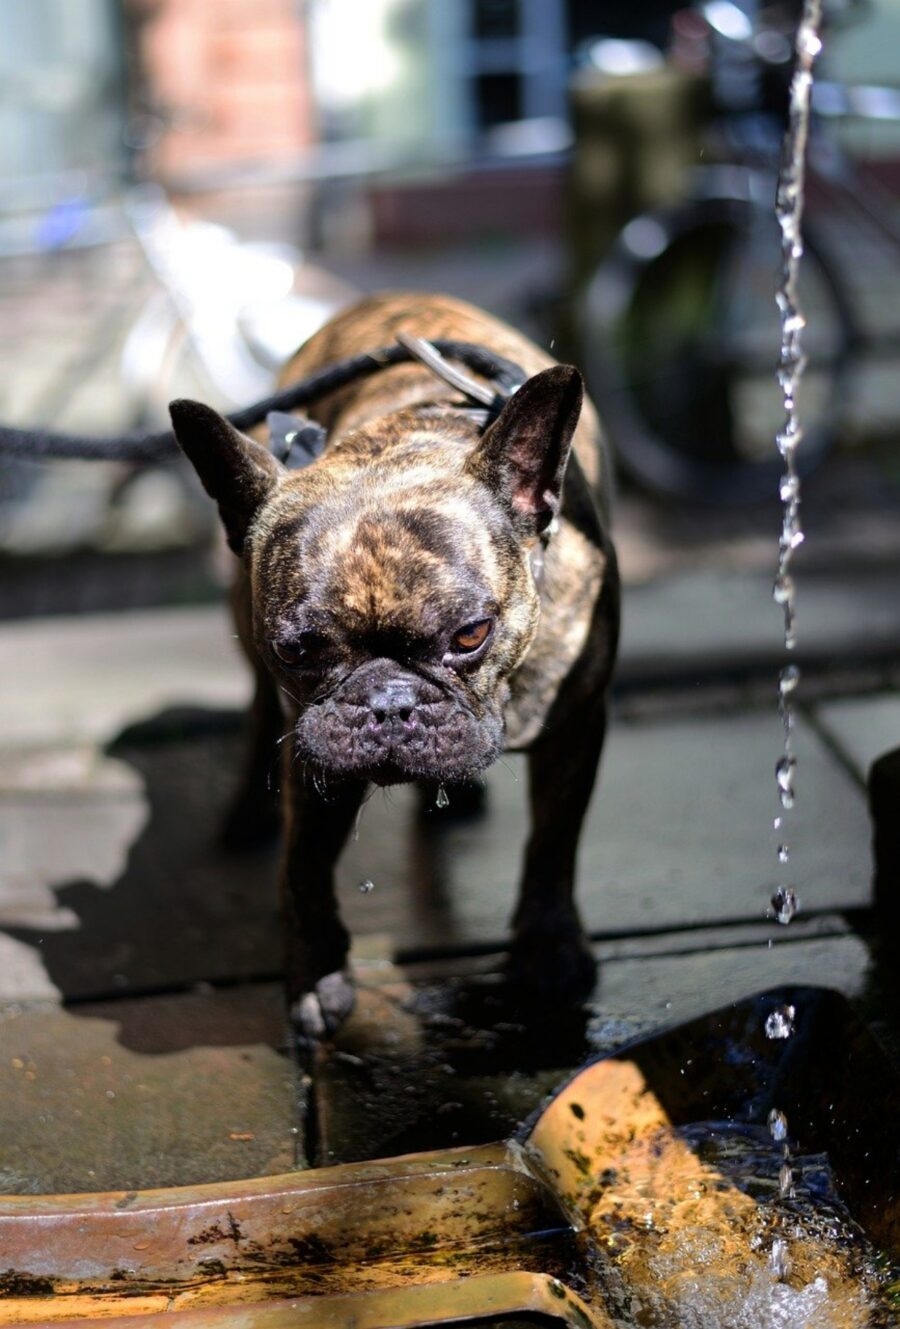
(551, 958)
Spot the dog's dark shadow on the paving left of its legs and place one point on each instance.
(183, 911)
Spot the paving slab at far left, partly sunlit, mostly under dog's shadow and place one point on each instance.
(114, 895)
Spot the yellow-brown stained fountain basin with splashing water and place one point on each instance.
(551, 1223)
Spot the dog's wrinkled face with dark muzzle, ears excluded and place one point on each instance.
(393, 623)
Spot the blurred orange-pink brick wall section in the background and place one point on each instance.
(231, 78)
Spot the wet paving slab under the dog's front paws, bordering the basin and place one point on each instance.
(443, 1063)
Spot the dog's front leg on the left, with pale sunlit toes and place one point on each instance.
(320, 988)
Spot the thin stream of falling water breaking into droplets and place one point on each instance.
(789, 209)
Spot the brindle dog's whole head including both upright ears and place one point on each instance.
(393, 596)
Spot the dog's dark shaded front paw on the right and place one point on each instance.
(552, 966)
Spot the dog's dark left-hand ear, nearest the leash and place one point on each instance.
(233, 470)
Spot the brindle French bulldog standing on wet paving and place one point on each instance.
(407, 615)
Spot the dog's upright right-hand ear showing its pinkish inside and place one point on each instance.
(524, 454)
